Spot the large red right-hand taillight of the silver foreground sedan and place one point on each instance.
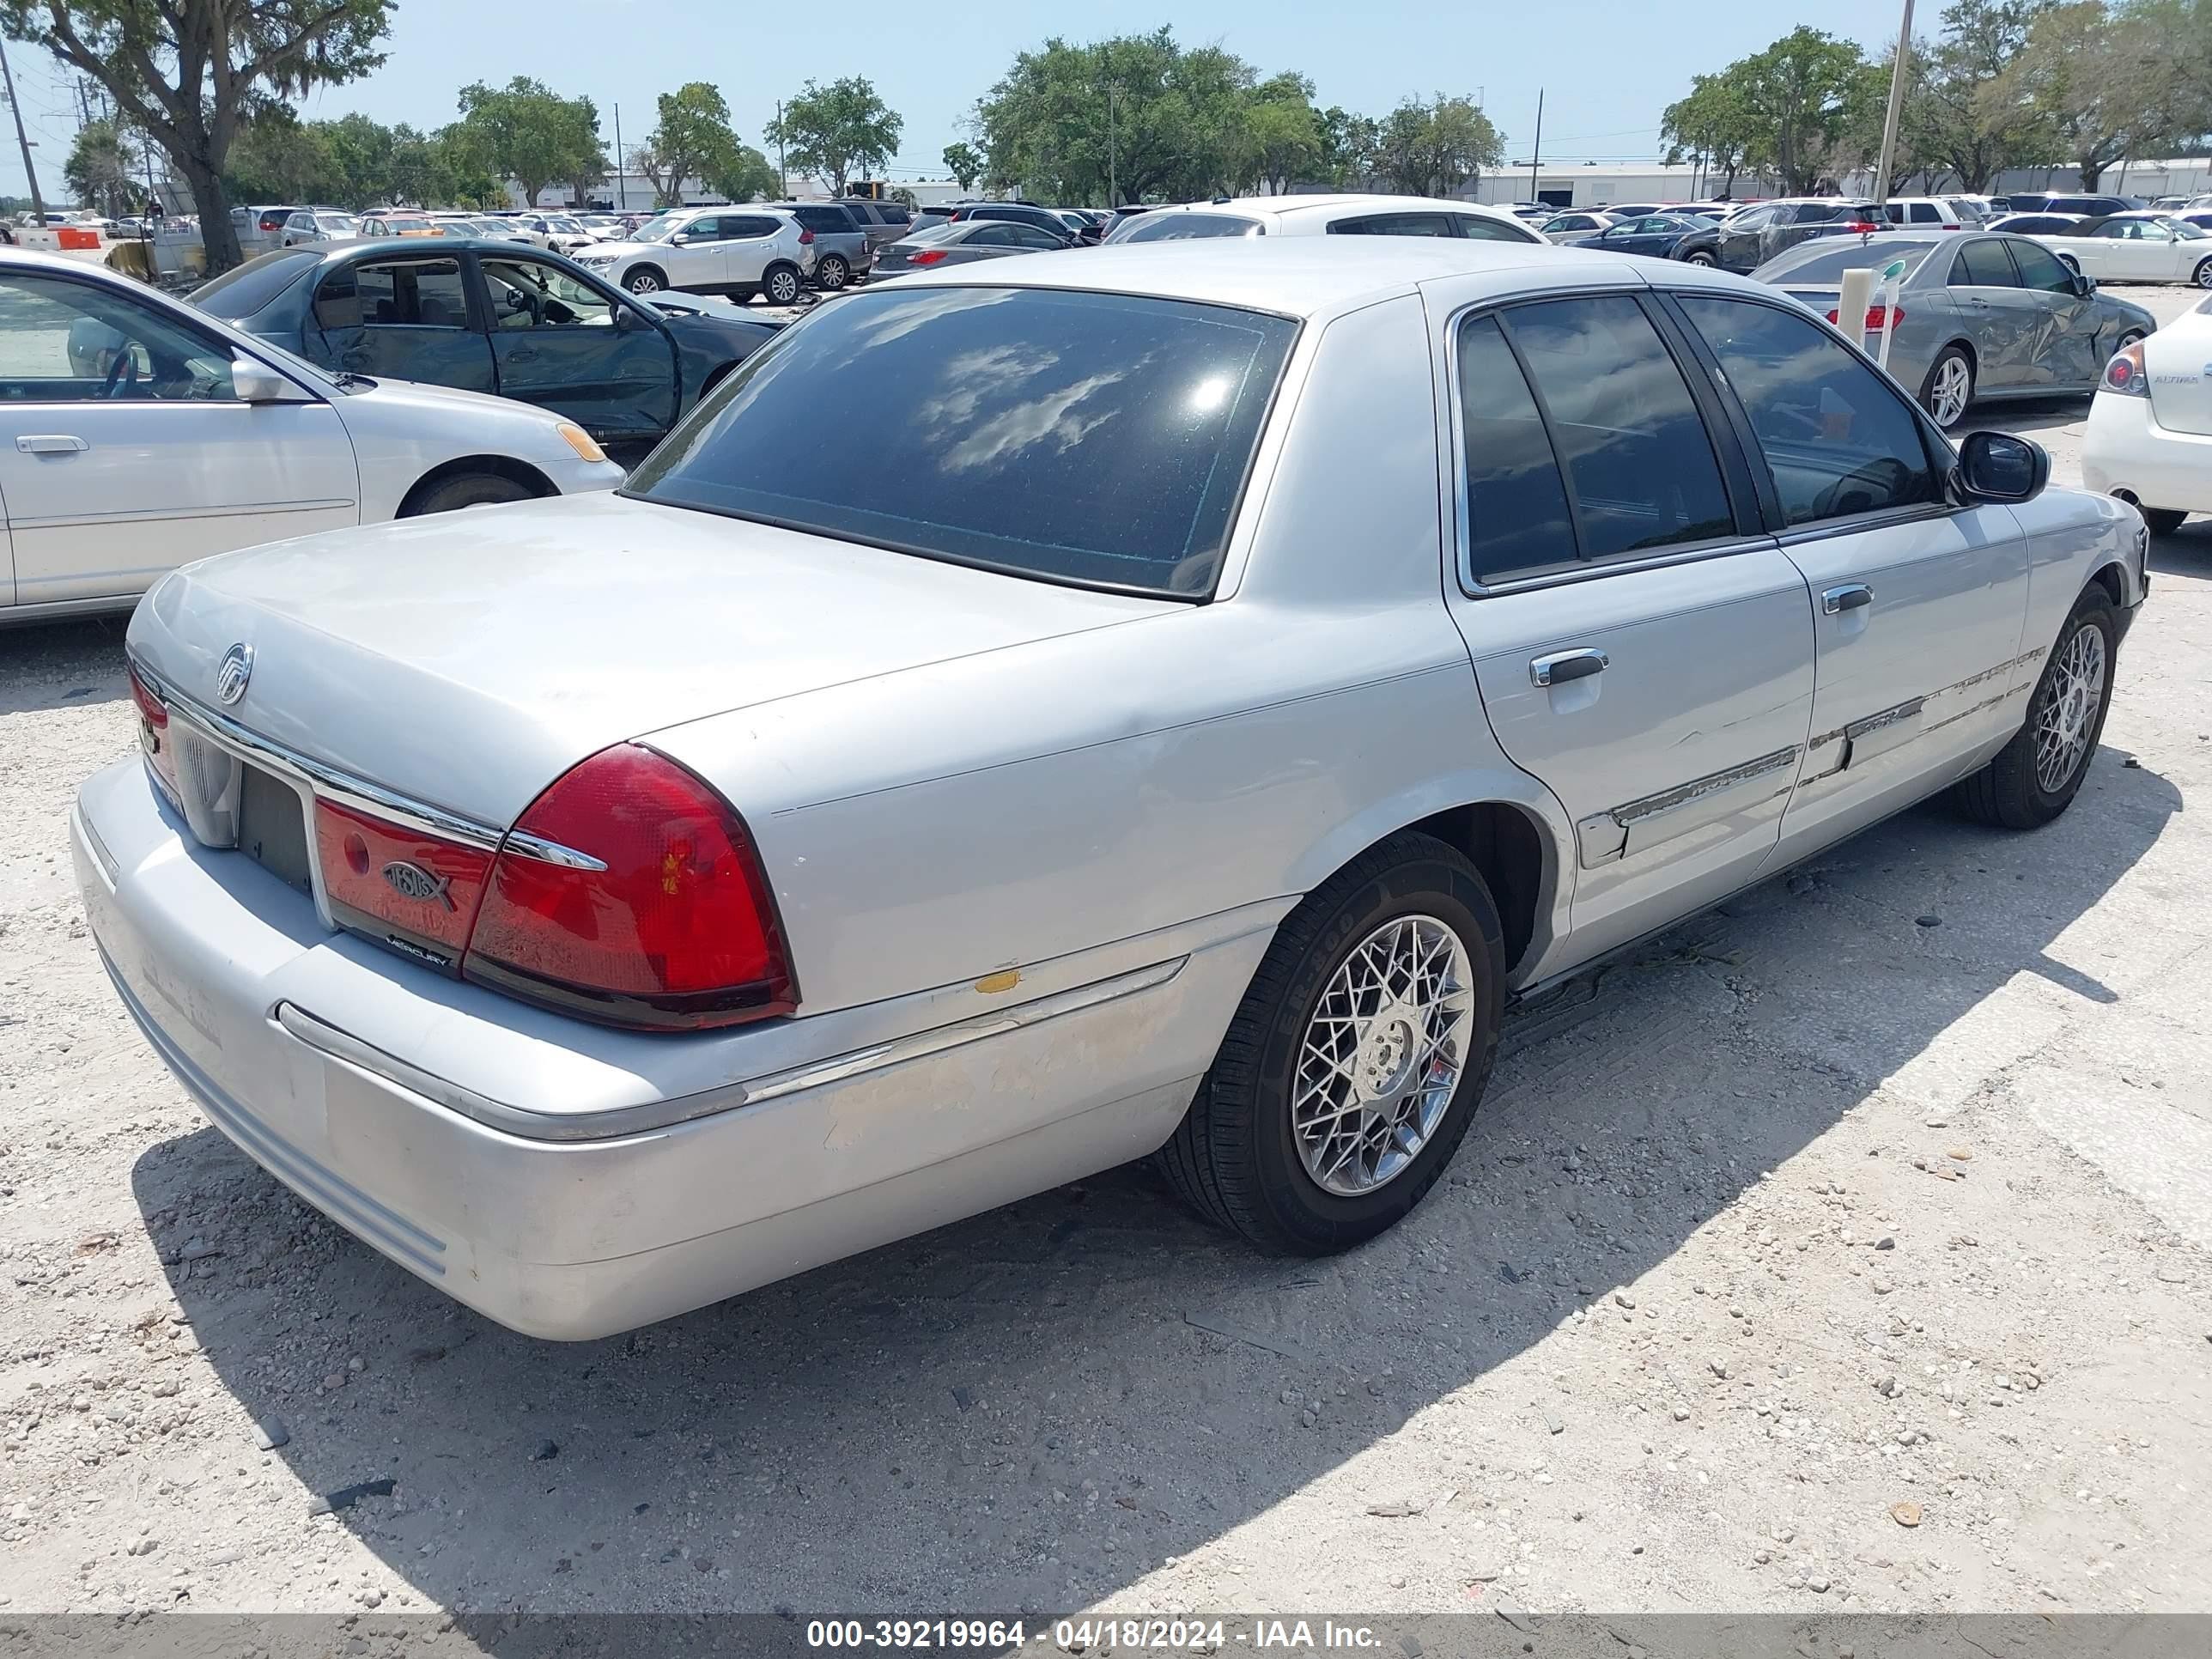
(674, 928)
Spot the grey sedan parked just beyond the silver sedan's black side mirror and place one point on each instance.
(1979, 315)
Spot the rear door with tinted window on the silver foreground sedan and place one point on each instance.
(1640, 643)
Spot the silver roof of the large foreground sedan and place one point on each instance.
(1311, 278)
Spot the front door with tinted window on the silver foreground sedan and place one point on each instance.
(1919, 605)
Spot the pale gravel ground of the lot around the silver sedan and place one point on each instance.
(1846, 1251)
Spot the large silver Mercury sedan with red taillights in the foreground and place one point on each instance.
(1238, 671)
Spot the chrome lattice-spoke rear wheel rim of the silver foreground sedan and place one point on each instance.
(1384, 1056)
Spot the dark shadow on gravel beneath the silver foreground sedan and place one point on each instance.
(1036, 1408)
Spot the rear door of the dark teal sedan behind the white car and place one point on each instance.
(404, 317)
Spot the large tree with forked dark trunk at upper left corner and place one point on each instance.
(194, 72)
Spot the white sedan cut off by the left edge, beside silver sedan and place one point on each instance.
(138, 435)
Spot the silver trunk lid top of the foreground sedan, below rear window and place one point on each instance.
(472, 658)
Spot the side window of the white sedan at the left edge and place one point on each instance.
(79, 344)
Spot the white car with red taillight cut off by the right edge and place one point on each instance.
(2151, 426)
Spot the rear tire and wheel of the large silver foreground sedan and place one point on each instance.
(1355, 1061)
